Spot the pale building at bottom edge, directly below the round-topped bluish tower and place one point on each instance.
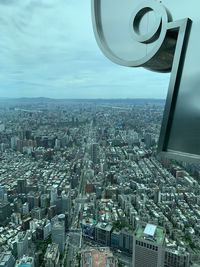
(52, 255)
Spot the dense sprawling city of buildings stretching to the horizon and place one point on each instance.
(82, 184)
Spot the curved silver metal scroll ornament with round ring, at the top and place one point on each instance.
(130, 33)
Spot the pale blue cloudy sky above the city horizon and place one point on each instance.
(48, 49)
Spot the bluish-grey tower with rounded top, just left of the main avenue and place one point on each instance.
(58, 235)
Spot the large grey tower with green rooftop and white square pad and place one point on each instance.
(148, 246)
